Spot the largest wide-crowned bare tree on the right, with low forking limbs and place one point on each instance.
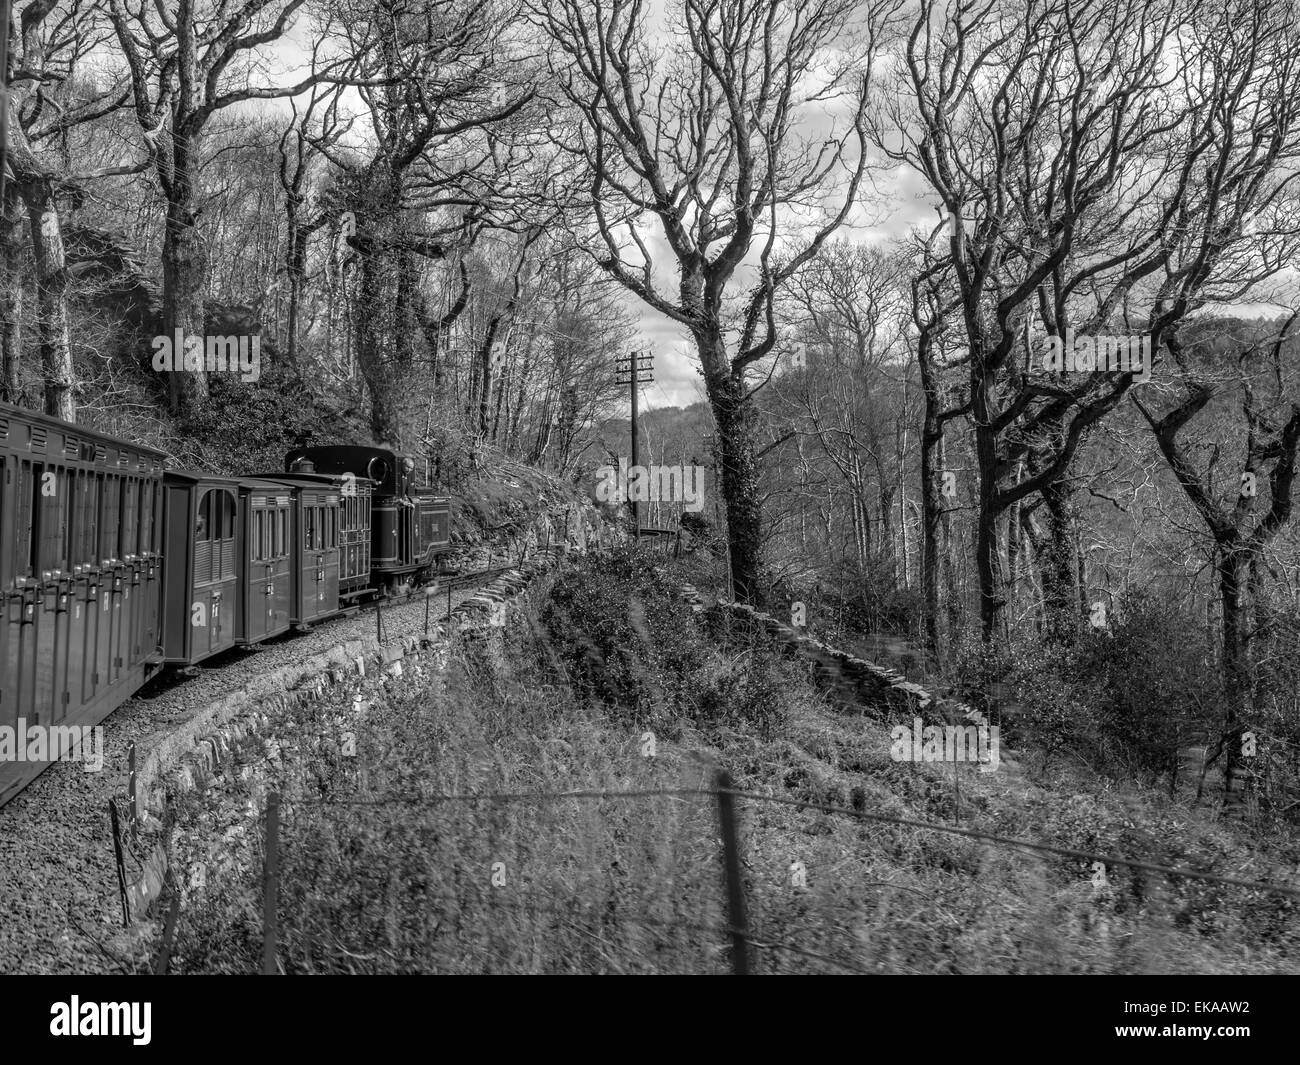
(1067, 144)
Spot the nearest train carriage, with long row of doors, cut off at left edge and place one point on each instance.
(80, 582)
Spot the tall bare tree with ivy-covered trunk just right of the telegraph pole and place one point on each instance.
(709, 129)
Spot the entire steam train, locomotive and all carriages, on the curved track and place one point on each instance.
(114, 569)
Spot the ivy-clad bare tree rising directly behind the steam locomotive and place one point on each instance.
(441, 84)
